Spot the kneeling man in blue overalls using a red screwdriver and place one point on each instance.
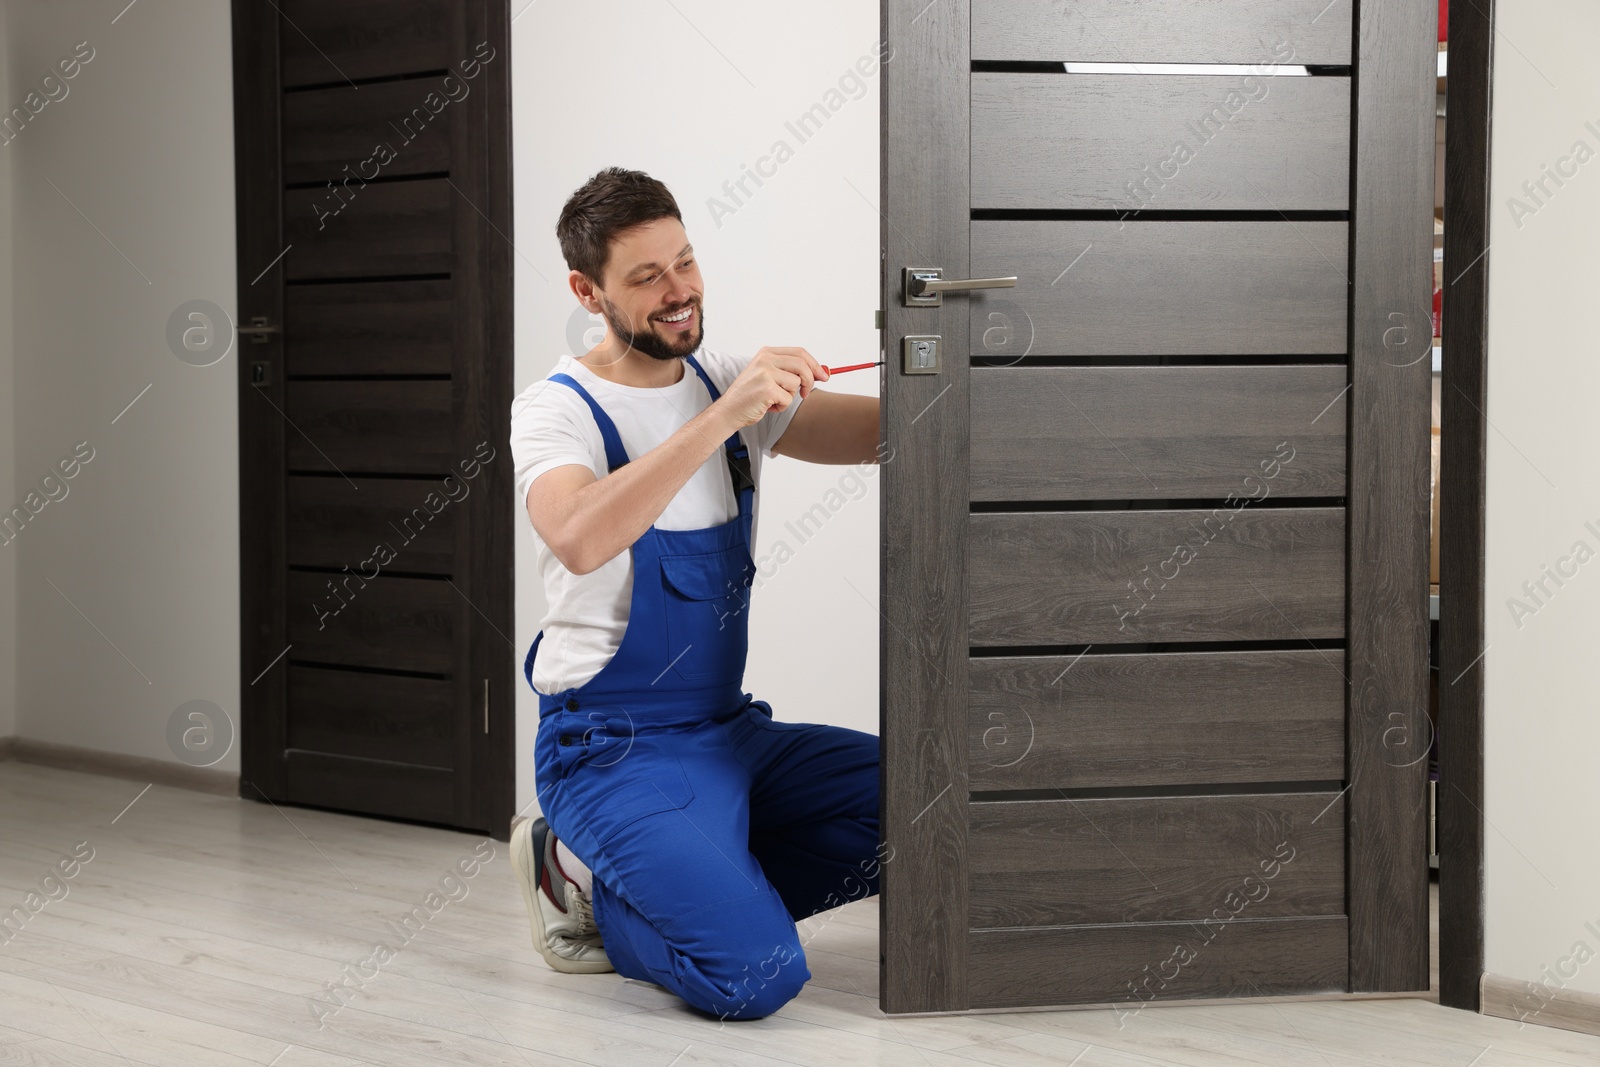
(684, 831)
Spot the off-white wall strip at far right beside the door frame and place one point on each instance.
(1542, 673)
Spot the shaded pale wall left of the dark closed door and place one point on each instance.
(124, 210)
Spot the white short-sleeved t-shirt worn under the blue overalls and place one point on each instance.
(551, 426)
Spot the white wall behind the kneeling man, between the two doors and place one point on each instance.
(694, 94)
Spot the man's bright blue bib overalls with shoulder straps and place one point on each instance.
(711, 829)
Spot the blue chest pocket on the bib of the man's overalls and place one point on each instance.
(708, 601)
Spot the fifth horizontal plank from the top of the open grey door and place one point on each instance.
(1122, 577)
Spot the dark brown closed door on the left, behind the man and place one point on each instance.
(375, 282)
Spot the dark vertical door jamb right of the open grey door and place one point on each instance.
(1463, 502)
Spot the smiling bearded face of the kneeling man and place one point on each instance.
(652, 292)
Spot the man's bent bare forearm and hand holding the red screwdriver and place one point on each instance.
(590, 521)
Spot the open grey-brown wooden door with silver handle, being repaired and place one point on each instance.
(1156, 527)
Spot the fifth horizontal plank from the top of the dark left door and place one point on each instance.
(374, 428)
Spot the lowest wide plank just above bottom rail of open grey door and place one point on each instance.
(1151, 860)
